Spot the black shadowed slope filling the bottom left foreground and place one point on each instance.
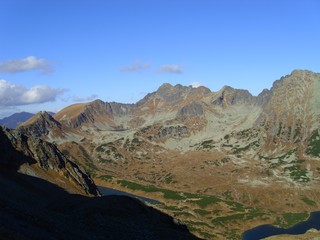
(33, 208)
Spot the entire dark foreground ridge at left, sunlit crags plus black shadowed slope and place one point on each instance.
(36, 182)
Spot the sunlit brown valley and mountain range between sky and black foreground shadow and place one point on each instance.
(219, 162)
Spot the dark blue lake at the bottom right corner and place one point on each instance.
(264, 231)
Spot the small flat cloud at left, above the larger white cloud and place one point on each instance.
(26, 64)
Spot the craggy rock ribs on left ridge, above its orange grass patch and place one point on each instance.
(18, 149)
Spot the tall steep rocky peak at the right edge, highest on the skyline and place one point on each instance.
(290, 112)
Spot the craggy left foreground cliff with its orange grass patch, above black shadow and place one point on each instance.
(32, 156)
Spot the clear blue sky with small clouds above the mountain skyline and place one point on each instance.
(54, 53)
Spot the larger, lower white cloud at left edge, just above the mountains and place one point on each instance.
(16, 95)
